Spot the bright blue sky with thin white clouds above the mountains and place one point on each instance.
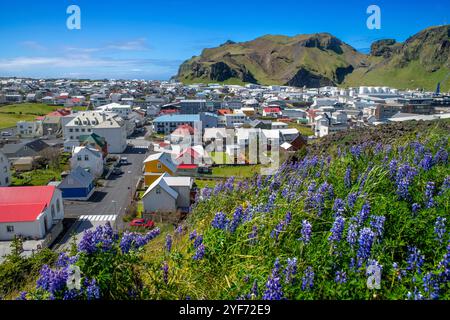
(149, 39)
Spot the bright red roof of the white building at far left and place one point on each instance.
(24, 204)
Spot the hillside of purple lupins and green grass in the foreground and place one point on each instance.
(317, 229)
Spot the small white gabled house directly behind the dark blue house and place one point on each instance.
(87, 158)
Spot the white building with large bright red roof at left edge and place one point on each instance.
(31, 212)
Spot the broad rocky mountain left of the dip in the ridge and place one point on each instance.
(305, 60)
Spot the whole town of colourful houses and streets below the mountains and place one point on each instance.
(77, 154)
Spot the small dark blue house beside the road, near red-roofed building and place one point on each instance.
(78, 185)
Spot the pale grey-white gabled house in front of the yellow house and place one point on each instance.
(168, 194)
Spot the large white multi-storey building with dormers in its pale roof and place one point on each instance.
(105, 124)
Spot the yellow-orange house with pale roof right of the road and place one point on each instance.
(156, 165)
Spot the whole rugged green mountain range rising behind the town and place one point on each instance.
(321, 59)
